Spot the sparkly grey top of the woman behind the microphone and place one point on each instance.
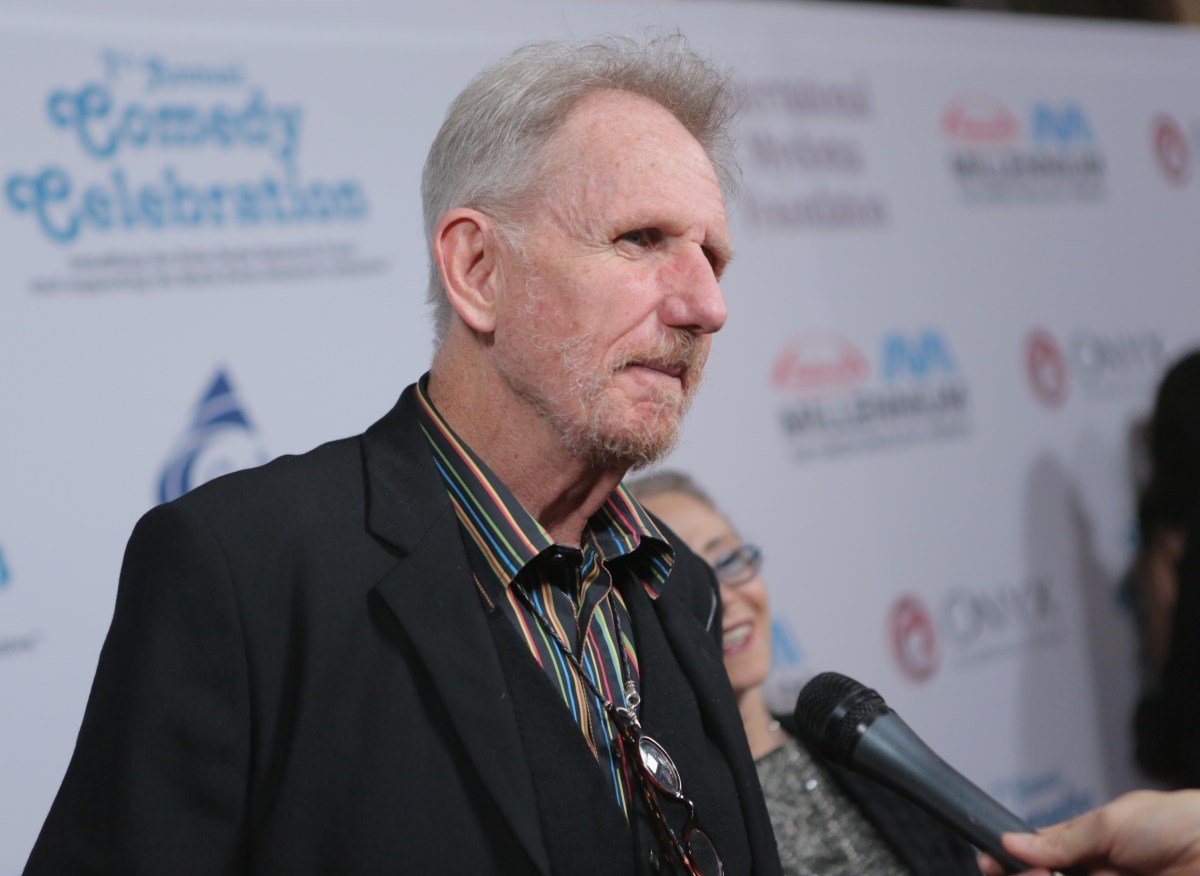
(819, 830)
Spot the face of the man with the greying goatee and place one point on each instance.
(608, 311)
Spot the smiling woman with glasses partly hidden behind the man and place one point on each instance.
(827, 821)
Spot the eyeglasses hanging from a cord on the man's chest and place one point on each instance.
(692, 847)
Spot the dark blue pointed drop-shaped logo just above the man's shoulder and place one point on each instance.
(220, 440)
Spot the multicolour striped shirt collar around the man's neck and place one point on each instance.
(508, 536)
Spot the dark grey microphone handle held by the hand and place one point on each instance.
(892, 755)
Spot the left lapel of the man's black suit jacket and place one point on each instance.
(430, 592)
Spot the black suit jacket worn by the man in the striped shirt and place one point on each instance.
(299, 679)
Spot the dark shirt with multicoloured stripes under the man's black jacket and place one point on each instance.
(577, 591)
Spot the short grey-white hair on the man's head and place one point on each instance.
(490, 153)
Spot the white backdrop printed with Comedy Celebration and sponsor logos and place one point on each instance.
(968, 247)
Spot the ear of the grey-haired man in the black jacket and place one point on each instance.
(465, 244)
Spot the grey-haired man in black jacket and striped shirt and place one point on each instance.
(455, 644)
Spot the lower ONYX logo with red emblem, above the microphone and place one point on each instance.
(973, 626)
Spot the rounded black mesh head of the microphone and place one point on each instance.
(833, 711)
